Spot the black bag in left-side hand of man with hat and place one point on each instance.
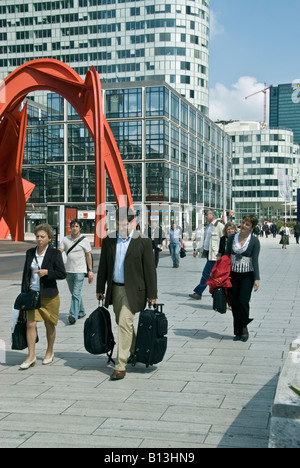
(98, 335)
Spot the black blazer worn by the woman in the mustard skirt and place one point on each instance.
(52, 262)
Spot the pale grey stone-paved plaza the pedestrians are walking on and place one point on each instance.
(208, 392)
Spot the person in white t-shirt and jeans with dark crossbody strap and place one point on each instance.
(79, 263)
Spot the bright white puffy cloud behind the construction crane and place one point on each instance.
(230, 103)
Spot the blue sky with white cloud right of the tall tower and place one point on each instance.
(252, 42)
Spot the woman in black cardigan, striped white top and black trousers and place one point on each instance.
(244, 248)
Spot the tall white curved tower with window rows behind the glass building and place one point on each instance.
(125, 40)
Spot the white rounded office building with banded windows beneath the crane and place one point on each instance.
(265, 171)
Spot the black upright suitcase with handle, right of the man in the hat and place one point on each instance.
(151, 342)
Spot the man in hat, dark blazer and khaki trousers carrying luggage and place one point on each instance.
(127, 272)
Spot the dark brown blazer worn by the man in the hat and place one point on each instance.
(139, 271)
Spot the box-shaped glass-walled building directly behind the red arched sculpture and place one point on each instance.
(173, 154)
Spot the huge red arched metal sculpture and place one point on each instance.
(86, 98)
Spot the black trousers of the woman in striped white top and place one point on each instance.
(240, 295)
